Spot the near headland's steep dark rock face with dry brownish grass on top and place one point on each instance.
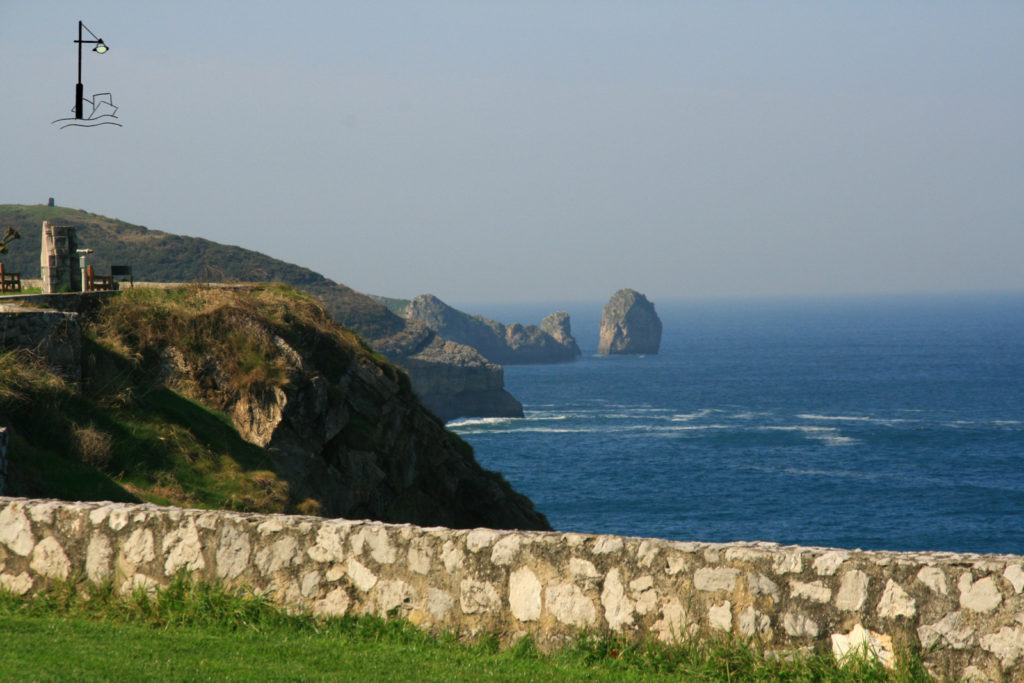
(343, 428)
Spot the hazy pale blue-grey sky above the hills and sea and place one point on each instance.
(517, 151)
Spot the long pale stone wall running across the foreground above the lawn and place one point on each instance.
(966, 611)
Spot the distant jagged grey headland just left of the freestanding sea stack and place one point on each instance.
(513, 345)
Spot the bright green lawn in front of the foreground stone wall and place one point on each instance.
(194, 631)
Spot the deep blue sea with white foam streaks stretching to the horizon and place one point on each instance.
(877, 423)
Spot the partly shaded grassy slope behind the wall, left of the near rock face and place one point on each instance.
(129, 442)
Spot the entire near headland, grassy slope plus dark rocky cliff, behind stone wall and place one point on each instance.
(246, 399)
